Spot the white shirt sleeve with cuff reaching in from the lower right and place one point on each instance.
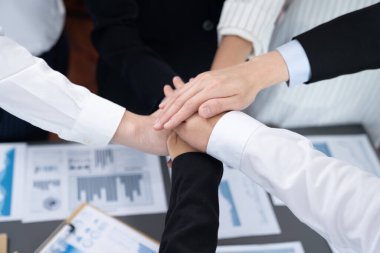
(338, 200)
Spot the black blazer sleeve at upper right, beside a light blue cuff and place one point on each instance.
(345, 45)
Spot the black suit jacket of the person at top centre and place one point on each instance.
(143, 43)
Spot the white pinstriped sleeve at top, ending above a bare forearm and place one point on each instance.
(253, 20)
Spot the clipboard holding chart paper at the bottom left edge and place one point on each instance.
(88, 229)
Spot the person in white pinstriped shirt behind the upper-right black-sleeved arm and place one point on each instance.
(344, 100)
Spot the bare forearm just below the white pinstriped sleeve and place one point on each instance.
(232, 50)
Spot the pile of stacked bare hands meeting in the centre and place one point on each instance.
(191, 111)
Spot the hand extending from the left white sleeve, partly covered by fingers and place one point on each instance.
(136, 131)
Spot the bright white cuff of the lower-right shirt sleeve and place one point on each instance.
(229, 139)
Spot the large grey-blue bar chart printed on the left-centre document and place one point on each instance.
(132, 188)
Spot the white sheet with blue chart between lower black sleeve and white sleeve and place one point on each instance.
(245, 208)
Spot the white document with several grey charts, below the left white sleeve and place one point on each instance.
(116, 179)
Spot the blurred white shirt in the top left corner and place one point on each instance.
(36, 25)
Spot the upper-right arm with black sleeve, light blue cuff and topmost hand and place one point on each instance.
(348, 44)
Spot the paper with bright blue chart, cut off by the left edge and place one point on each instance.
(12, 167)
